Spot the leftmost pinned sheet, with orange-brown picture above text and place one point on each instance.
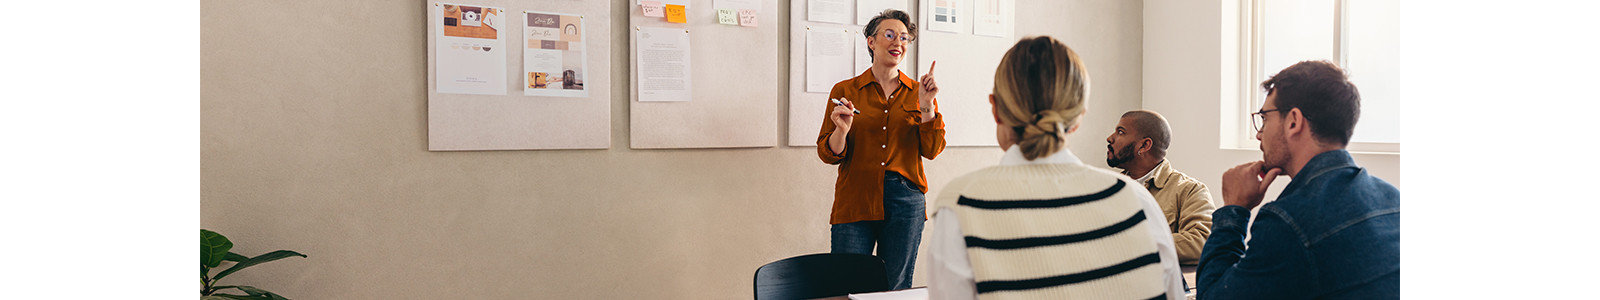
(470, 50)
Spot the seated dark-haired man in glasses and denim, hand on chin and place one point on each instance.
(1334, 232)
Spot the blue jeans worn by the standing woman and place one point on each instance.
(898, 235)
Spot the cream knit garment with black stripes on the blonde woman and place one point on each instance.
(1055, 232)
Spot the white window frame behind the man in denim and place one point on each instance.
(1239, 133)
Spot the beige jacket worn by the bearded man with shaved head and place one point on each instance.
(1188, 208)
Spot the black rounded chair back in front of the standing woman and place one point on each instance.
(820, 277)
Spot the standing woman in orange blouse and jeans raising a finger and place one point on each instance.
(881, 191)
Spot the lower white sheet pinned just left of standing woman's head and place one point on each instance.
(828, 58)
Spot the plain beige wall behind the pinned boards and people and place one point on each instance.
(314, 140)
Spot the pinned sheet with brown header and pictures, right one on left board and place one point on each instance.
(554, 61)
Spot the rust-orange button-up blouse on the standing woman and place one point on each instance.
(887, 136)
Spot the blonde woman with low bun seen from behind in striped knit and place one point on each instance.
(1042, 224)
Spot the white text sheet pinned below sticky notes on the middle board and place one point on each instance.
(663, 65)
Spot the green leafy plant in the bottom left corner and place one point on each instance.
(217, 250)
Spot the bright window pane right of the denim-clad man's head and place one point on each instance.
(1375, 68)
